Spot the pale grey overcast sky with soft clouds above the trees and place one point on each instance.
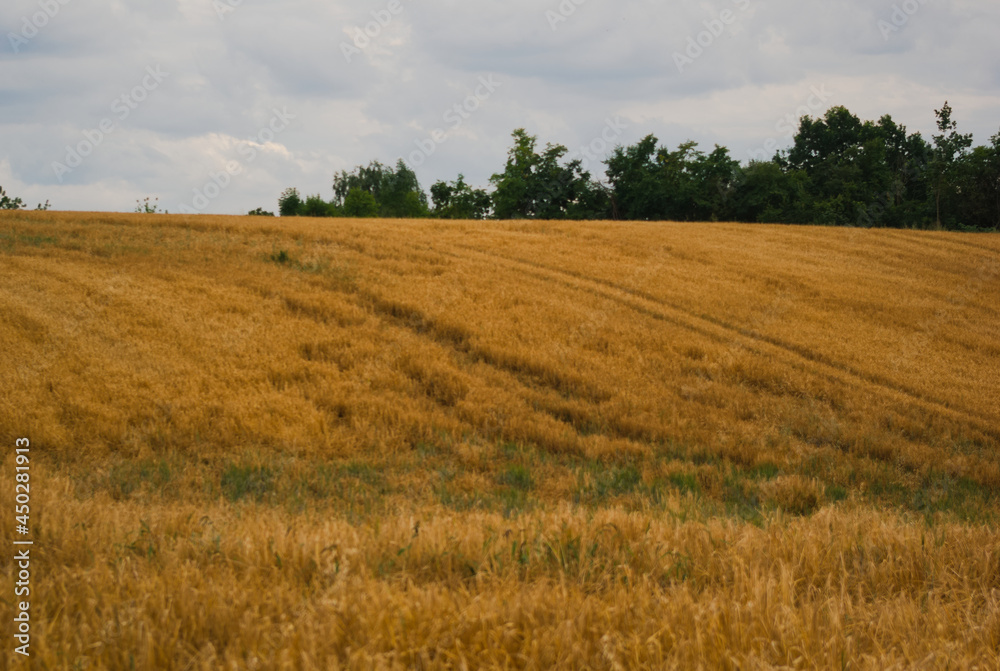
(218, 105)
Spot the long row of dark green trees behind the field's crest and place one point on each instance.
(839, 171)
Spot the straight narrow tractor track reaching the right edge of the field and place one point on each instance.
(725, 332)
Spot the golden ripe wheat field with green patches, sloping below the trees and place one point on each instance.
(380, 444)
